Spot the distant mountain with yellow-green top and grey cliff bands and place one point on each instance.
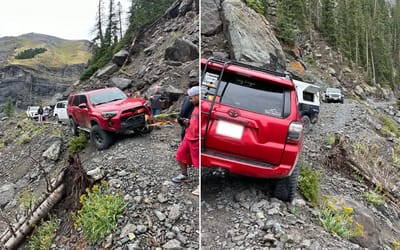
(43, 78)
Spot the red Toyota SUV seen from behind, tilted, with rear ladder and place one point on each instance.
(250, 123)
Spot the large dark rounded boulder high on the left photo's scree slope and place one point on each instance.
(182, 50)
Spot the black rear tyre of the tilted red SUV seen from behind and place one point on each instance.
(285, 189)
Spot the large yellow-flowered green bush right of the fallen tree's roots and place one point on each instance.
(100, 209)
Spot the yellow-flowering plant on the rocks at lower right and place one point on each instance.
(336, 219)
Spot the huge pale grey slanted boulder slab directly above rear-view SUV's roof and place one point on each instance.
(251, 37)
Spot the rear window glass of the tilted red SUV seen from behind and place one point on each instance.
(248, 94)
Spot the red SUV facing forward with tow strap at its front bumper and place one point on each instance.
(104, 112)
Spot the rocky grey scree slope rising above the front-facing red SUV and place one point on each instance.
(164, 53)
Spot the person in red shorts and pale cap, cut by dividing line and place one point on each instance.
(188, 151)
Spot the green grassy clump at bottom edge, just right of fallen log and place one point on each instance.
(43, 235)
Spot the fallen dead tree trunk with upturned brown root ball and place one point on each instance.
(69, 184)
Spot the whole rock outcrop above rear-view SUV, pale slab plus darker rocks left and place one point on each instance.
(247, 42)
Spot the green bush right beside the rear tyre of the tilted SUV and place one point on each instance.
(309, 183)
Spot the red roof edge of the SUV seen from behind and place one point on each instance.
(250, 72)
